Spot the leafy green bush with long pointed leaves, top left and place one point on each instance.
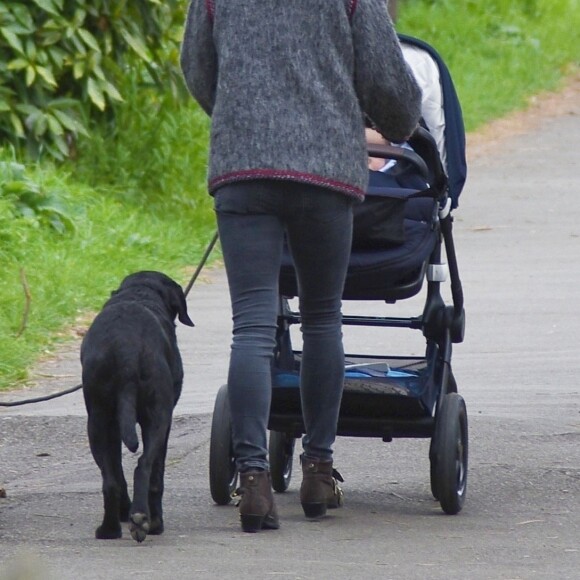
(61, 63)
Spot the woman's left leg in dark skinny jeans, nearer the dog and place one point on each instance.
(252, 245)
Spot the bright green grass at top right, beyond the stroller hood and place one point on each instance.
(500, 53)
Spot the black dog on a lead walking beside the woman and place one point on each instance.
(132, 373)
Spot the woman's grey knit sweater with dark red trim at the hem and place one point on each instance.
(287, 83)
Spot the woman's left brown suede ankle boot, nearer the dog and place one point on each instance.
(257, 508)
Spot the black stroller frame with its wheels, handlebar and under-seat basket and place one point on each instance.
(384, 396)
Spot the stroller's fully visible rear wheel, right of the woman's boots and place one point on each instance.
(449, 454)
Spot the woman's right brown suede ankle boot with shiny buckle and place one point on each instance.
(319, 489)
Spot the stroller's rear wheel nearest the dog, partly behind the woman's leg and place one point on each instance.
(223, 475)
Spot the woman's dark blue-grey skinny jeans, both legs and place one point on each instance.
(254, 219)
